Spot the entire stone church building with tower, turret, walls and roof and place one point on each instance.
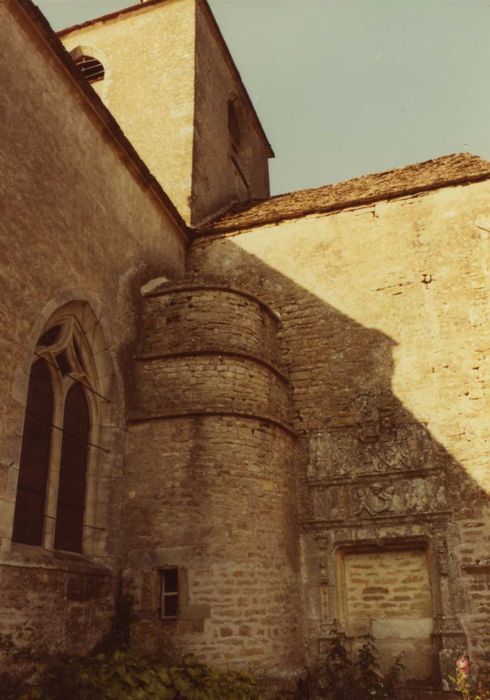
(289, 433)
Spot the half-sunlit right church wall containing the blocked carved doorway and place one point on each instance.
(384, 337)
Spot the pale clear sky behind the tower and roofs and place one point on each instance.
(349, 87)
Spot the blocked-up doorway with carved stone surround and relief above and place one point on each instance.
(376, 483)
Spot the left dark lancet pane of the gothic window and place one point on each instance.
(34, 459)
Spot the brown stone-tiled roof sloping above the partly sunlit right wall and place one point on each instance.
(454, 169)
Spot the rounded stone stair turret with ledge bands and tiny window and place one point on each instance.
(210, 526)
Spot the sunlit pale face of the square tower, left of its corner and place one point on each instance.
(149, 59)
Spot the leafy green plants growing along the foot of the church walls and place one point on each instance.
(114, 671)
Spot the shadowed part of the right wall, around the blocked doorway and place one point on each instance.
(391, 524)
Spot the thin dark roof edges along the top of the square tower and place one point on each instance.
(212, 20)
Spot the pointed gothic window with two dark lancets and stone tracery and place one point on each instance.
(55, 453)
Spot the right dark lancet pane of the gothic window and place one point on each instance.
(73, 468)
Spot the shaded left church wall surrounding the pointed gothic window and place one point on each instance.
(80, 225)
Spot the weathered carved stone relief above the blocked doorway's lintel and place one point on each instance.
(374, 465)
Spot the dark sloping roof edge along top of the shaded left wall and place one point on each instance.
(41, 25)
